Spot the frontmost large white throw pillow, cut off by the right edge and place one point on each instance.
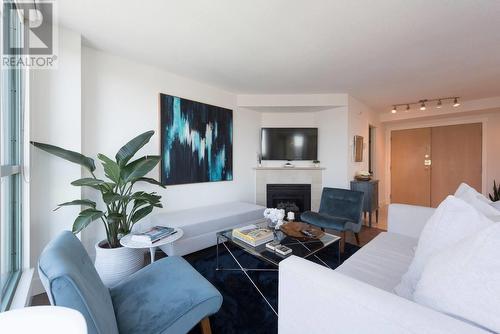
(464, 280)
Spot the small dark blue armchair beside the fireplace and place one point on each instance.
(340, 209)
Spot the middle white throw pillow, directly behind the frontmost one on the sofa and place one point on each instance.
(453, 220)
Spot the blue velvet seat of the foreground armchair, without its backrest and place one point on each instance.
(167, 294)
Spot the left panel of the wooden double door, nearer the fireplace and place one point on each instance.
(410, 177)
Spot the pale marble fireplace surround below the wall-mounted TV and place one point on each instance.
(295, 175)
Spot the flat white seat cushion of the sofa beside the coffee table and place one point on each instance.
(382, 261)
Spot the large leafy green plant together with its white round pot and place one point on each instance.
(121, 206)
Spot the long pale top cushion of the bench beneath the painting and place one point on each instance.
(206, 219)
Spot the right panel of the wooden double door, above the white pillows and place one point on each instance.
(456, 158)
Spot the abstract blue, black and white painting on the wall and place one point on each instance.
(196, 141)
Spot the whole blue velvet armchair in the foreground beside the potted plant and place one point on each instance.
(167, 296)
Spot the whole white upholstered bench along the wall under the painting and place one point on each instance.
(201, 224)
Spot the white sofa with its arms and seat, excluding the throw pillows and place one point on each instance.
(358, 296)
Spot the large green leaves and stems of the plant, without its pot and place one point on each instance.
(124, 207)
